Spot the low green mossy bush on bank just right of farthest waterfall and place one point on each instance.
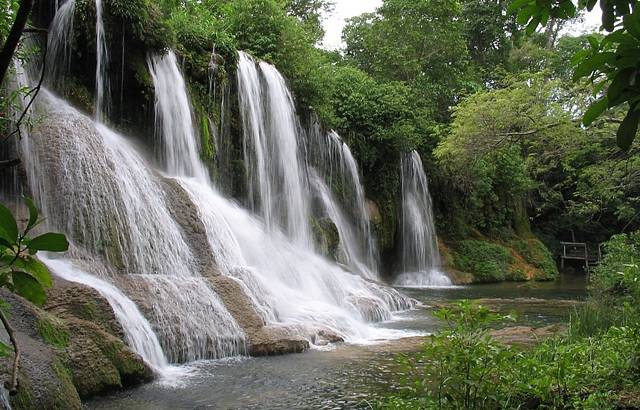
(488, 262)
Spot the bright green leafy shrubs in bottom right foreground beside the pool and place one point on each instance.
(463, 367)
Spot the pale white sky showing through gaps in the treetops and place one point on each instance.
(345, 9)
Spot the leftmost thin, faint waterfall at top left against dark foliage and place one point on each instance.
(59, 43)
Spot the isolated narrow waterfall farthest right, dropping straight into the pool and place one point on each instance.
(420, 255)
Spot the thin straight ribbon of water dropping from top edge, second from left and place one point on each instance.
(103, 89)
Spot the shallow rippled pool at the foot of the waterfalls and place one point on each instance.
(345, 376)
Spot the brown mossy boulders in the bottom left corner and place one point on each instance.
(70, 350)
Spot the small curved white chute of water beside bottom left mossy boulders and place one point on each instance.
(138, 333)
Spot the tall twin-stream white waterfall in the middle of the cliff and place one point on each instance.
(276, 175)
